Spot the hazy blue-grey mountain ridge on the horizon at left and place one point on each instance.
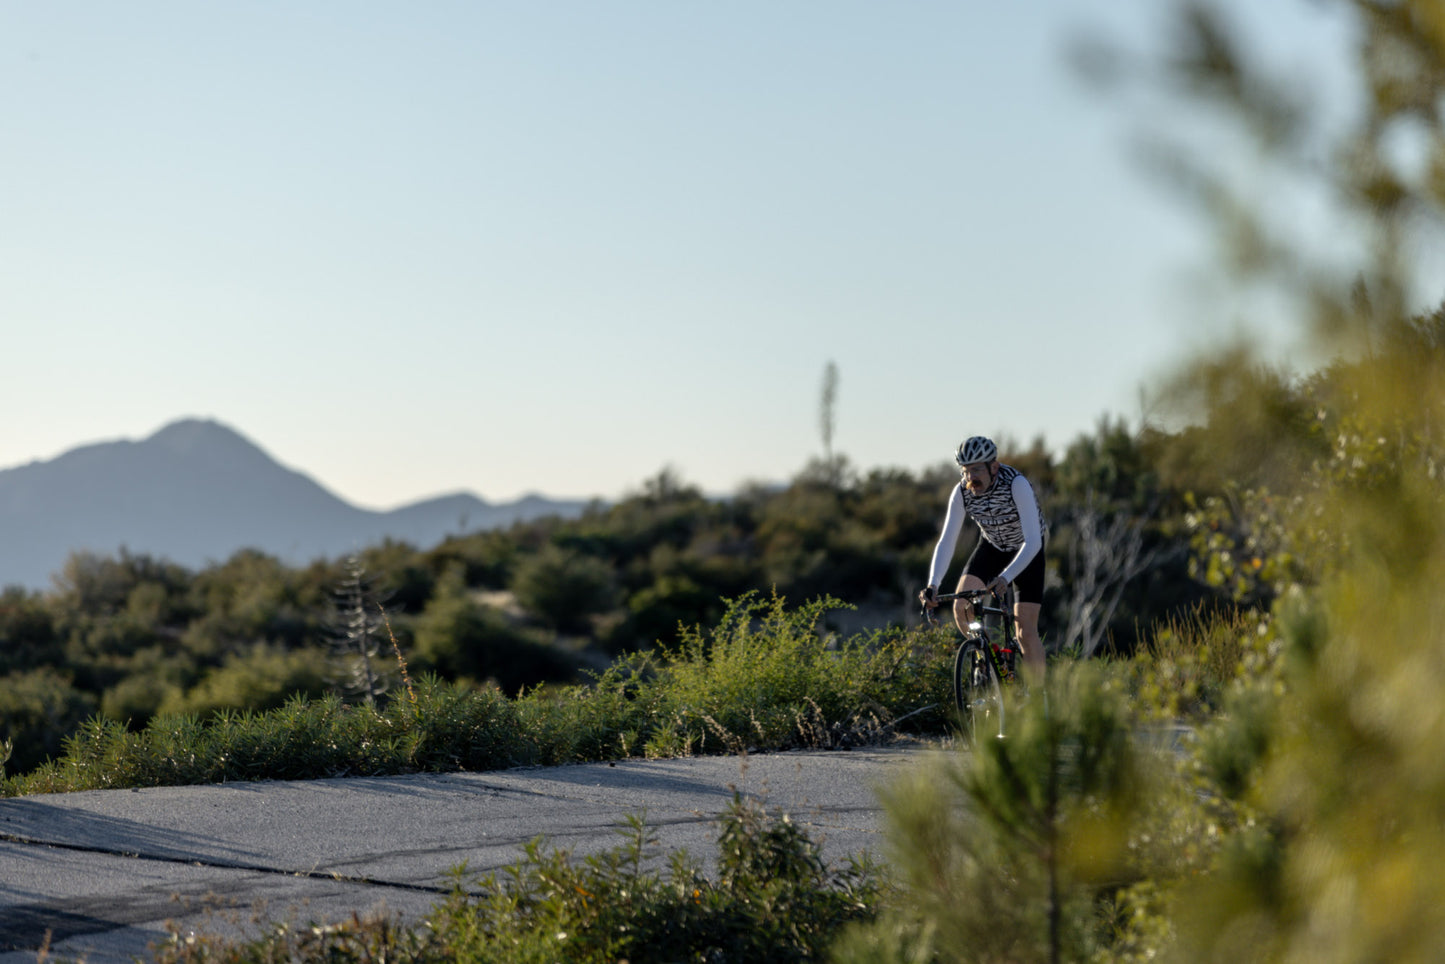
(197, 492)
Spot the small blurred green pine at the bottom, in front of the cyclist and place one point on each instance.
(1006, 853)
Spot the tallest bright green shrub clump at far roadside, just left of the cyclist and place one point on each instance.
(764, 679)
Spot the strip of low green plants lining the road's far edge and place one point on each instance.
(765, 679)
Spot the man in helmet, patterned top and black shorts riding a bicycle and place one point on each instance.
(1014, 533)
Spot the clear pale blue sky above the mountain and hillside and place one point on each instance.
(506, 248)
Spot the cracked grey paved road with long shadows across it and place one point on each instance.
(103, 872)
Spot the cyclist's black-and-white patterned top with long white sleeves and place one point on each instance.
(1008, 515)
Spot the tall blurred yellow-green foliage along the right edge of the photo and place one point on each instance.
(1340, 757)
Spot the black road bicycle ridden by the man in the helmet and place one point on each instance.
(986, 660)
